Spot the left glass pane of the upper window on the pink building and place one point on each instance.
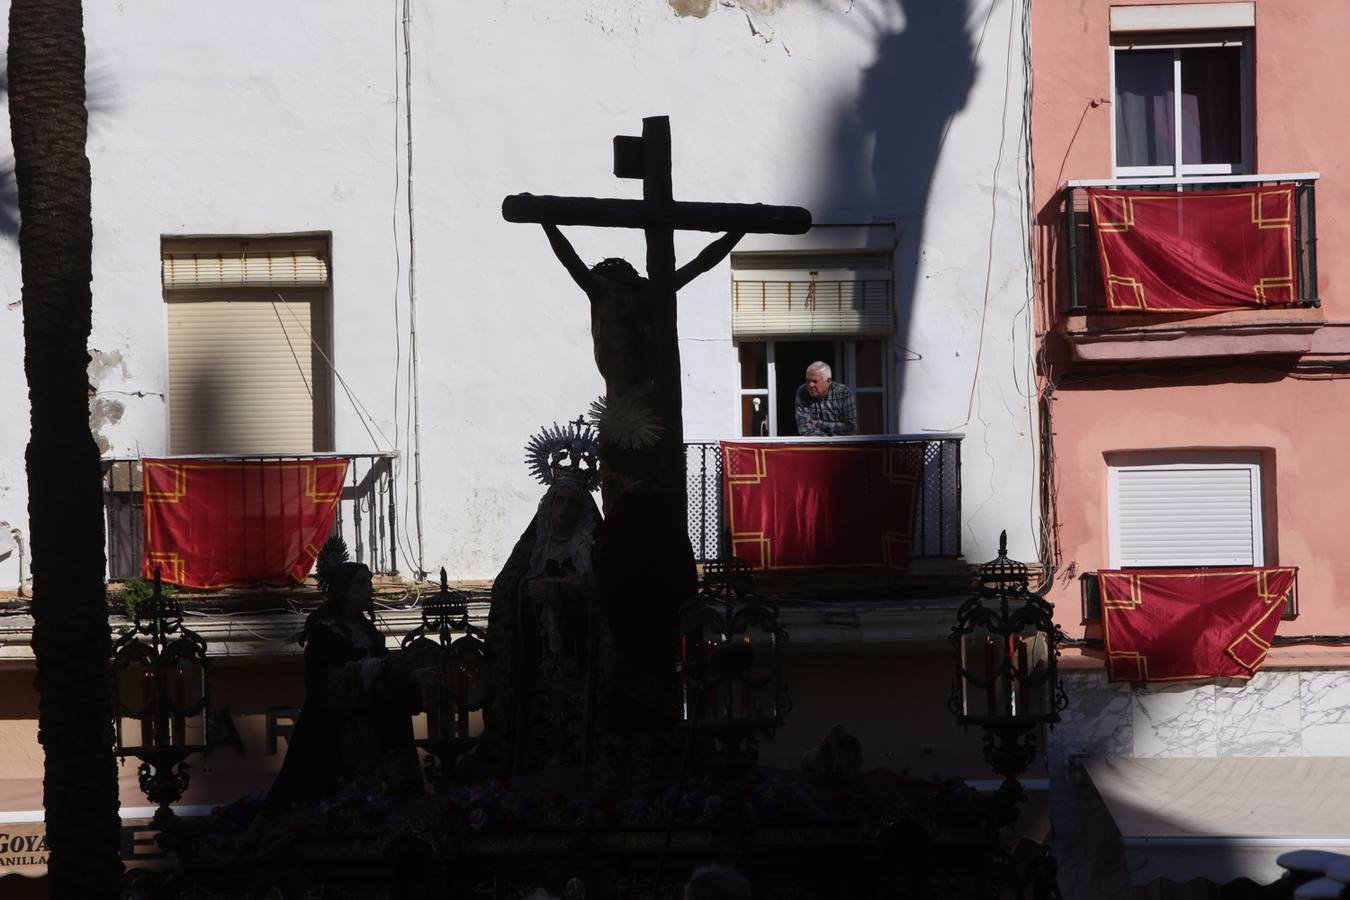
(1144, 114)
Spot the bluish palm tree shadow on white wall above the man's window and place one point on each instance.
(886, 145)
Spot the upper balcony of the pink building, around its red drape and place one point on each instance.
(1090, 333)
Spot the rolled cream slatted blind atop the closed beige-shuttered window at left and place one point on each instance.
(245, 264)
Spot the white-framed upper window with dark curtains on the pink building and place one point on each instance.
(1209, 133)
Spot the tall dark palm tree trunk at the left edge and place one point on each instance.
(71, 639)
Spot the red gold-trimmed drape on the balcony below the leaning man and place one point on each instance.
(821, 505)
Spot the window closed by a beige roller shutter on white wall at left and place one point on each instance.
(248, 325)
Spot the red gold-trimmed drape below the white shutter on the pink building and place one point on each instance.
(1177, 625)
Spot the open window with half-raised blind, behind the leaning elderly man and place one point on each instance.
(790, 310)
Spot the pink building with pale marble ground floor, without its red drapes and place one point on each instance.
(1179, 441)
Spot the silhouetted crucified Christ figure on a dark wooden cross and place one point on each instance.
(642, 554)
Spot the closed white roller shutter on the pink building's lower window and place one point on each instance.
(1182, 516)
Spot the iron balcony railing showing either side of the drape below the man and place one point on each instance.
(938, 515)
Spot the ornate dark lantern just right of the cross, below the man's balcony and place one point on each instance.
(731, 663)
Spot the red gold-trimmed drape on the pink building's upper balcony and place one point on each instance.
(1195, 252)
